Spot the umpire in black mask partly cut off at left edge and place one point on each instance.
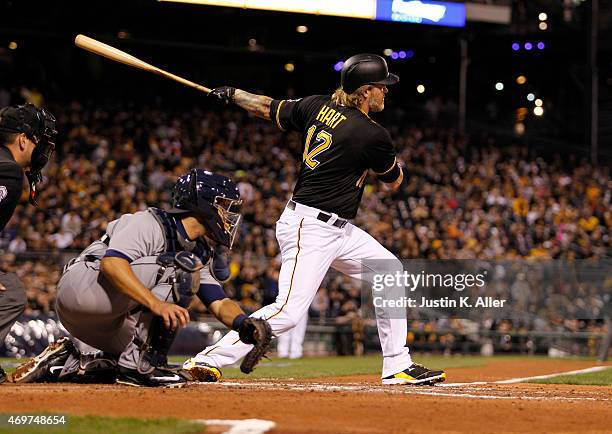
(27, 137)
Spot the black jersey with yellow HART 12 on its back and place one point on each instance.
(340, 145)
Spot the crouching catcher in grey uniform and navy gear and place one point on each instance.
(126, 295)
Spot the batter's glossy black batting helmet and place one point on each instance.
(364, 69)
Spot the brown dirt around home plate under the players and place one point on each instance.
(357, 404)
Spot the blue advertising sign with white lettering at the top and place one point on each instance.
(421, 12)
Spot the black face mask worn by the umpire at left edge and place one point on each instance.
(39, 126)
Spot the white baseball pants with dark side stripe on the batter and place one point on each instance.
(309, 247)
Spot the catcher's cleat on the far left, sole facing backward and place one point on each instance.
(39, 368)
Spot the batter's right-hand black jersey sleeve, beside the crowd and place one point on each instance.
(380, 156)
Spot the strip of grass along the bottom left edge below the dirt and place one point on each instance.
(97, 425)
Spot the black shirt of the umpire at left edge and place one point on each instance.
(11, 185)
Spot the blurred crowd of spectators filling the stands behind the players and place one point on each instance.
(462, 199)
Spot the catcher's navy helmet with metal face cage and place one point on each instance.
(213, 198)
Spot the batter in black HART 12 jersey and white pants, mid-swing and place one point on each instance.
(341, 144)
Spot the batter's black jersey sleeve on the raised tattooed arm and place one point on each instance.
(293, 114)
